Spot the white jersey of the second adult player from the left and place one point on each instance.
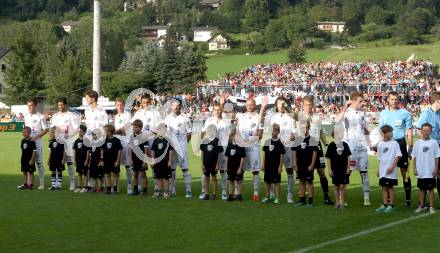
(69, 124)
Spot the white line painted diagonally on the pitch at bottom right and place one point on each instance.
(362, 233)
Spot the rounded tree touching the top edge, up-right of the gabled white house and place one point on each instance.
(256, 14)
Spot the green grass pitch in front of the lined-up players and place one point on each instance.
(44, 221)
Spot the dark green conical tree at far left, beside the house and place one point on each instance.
(24, 75)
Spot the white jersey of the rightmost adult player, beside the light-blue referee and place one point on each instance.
(354, 124)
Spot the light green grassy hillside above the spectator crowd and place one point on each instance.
(219, 65)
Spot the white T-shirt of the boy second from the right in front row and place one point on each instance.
(387, 152)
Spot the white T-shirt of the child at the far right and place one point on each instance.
(425, 153)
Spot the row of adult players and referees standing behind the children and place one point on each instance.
(250, 125)
